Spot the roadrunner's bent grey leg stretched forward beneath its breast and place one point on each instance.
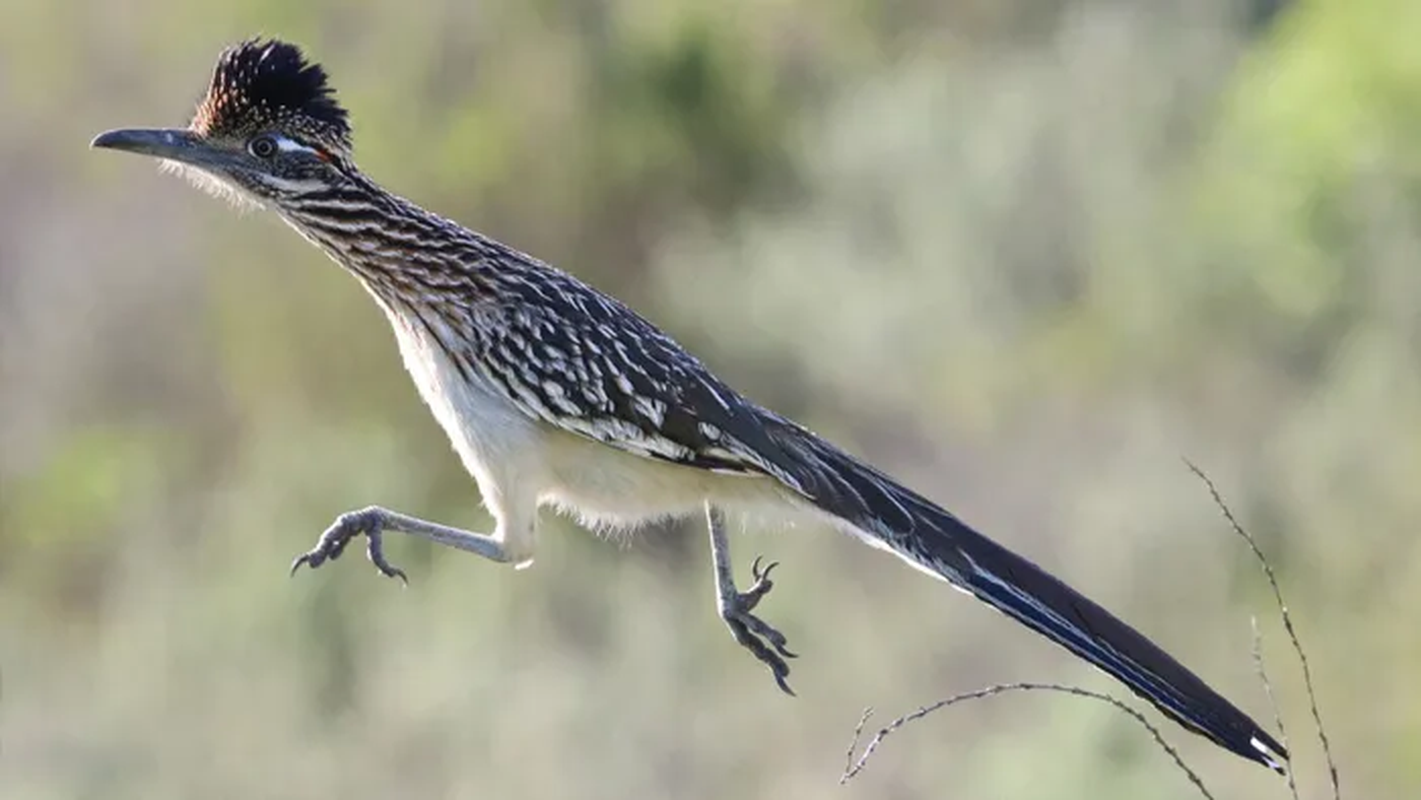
(373, 522)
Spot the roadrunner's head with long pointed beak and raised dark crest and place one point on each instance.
(269, 129)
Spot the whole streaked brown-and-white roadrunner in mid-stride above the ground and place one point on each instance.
(555, 394)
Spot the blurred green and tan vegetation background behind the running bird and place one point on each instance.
(1022, 254)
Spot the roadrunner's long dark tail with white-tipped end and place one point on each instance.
(882, 509)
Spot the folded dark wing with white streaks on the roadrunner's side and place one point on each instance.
(589, 364)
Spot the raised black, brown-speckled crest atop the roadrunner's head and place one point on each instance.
(261, 85)
